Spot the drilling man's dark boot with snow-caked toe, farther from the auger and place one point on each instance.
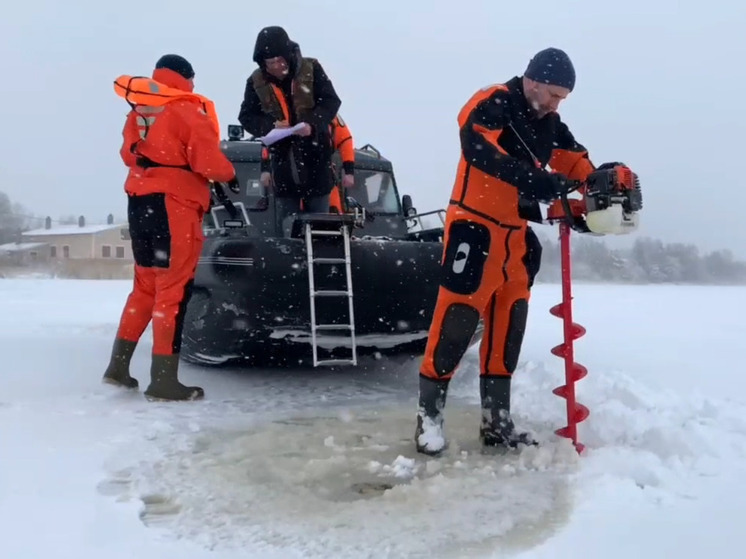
(429, 437)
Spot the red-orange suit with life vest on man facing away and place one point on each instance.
(171, 144)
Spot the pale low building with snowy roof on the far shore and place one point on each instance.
(108, 241)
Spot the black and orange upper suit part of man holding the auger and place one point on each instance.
(502, 139)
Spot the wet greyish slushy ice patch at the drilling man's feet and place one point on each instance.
(347, 481)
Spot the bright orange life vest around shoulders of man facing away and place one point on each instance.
(144, 93)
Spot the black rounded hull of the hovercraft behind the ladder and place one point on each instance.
(251, 300)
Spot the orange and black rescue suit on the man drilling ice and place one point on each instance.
(490, 255)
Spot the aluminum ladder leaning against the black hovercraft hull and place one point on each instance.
(338, 229)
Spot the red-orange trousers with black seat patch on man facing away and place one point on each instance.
(166, 242)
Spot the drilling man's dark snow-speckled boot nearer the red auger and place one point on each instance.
(497, 428)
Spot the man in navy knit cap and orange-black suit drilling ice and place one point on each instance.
(509, 133)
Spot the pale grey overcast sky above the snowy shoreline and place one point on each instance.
(660, 86)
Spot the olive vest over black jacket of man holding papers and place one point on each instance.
(272, 99)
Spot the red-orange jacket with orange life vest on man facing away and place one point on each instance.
(171, 141)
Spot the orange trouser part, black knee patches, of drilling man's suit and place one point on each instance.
(487, 273)
